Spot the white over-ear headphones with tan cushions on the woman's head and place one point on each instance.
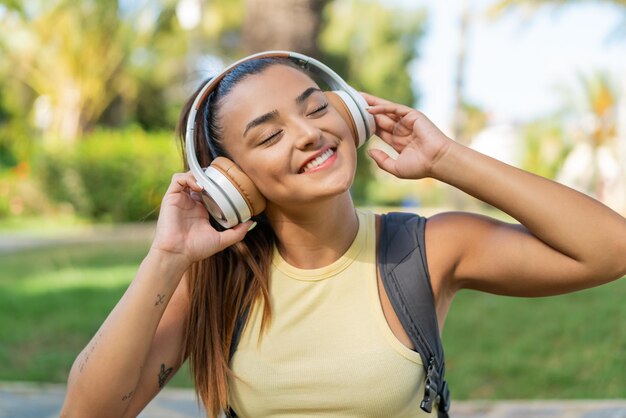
(229, 194)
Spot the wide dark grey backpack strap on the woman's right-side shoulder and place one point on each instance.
(404, 273)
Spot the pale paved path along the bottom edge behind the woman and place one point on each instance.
(22, 400)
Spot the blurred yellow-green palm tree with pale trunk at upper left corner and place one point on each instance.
(75, 55)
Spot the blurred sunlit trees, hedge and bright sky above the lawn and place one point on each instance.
(90, 91)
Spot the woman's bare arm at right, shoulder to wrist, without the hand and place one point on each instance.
(567, 241)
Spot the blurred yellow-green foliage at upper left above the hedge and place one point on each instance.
(92, 62)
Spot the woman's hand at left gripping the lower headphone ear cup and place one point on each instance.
(183, 229)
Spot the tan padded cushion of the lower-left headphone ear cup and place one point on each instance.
(246, 197)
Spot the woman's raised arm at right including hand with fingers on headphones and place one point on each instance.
(566, 240)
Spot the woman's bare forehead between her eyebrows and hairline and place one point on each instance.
(264, 92)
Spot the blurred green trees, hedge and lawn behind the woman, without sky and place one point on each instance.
(90, 93)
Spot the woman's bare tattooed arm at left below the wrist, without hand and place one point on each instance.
(104, 380)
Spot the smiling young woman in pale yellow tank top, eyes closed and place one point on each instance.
(307, 265)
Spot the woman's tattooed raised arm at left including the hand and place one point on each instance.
(139, 345)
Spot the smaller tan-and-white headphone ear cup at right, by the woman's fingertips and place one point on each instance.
(359, 120)
